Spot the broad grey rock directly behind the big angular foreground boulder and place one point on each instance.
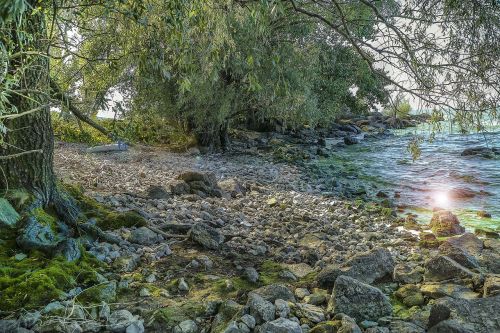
(368, 267)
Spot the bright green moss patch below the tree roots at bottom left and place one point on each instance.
(37, 280)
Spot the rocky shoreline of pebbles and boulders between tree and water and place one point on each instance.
(241, 242)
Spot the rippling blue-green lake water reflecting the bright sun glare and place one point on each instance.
(428, 182)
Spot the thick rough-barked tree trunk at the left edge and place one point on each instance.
(31, 132)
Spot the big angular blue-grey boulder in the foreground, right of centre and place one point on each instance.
(359, 300)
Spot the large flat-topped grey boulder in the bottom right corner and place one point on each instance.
(477, 315)
